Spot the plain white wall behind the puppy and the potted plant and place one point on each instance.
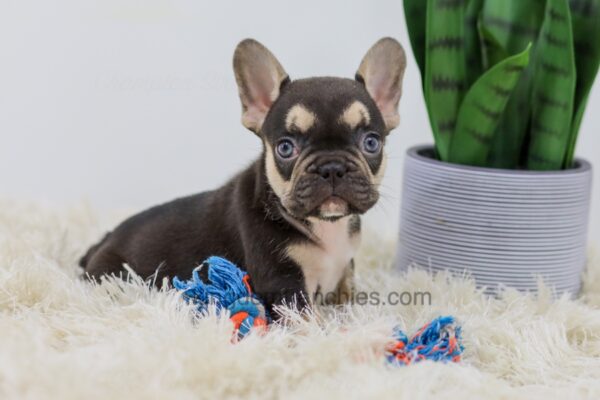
(128, 103)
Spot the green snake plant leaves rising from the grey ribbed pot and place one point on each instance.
(506, 82)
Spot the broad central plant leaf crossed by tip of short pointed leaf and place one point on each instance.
(513, 24)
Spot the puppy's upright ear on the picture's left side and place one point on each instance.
(259, 78)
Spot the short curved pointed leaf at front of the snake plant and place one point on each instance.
(482, 109)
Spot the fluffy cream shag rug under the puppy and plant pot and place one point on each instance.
(63, 338)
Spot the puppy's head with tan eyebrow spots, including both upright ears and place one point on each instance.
(324, 137)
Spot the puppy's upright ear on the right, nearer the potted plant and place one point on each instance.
(382, 71)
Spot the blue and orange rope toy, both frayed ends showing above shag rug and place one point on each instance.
(228, 288)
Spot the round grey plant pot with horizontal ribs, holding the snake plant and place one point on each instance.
(502, 227)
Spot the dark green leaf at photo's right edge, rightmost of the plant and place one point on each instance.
(585, 17)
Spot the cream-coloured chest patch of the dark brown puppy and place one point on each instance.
(325, 264)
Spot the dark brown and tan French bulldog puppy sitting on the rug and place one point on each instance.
(291, 219)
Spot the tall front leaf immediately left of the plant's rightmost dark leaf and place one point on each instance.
(553, 90)
